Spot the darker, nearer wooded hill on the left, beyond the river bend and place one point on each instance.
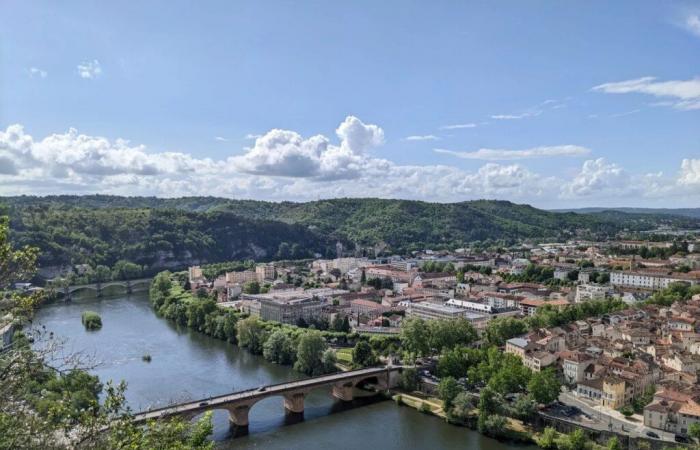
(128, 239)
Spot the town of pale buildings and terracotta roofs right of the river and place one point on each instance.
(641, 358)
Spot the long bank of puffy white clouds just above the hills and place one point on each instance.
(283, 165)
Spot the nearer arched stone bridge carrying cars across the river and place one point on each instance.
(238, 404)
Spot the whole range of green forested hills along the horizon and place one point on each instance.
(158, 232)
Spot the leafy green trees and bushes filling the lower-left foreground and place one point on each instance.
(50, 401)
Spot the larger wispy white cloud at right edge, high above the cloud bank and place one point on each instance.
(685, 94)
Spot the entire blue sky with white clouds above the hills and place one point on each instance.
(555, 104)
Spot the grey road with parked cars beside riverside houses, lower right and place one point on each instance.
(609, 419)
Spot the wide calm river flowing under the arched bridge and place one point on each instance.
(190, 365)
